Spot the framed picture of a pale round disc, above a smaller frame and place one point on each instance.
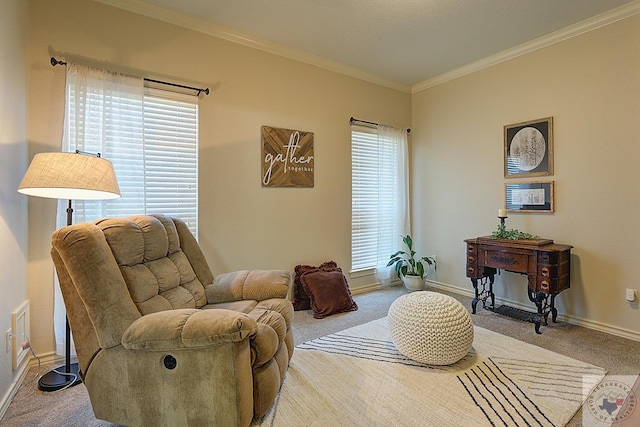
(528, 148)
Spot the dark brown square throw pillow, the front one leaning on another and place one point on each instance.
(328, 292)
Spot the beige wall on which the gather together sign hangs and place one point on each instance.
(242, 225)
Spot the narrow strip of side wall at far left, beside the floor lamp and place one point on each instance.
(13, 163)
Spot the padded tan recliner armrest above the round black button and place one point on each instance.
(188, 328)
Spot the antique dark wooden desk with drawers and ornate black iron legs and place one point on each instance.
(546, 265)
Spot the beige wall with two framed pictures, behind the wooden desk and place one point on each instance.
(591, 86)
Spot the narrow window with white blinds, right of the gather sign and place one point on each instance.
(374, 201)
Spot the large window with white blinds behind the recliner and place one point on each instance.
(151, 137)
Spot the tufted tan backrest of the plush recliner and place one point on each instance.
(115, 270)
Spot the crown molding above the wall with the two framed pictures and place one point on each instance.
(582, 27)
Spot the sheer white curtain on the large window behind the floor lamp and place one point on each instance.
(103, 114)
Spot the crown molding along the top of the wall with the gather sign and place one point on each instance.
(230, 35)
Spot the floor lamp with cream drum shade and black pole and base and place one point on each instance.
(71, 176)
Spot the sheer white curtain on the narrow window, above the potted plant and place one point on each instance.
(393, 197)
